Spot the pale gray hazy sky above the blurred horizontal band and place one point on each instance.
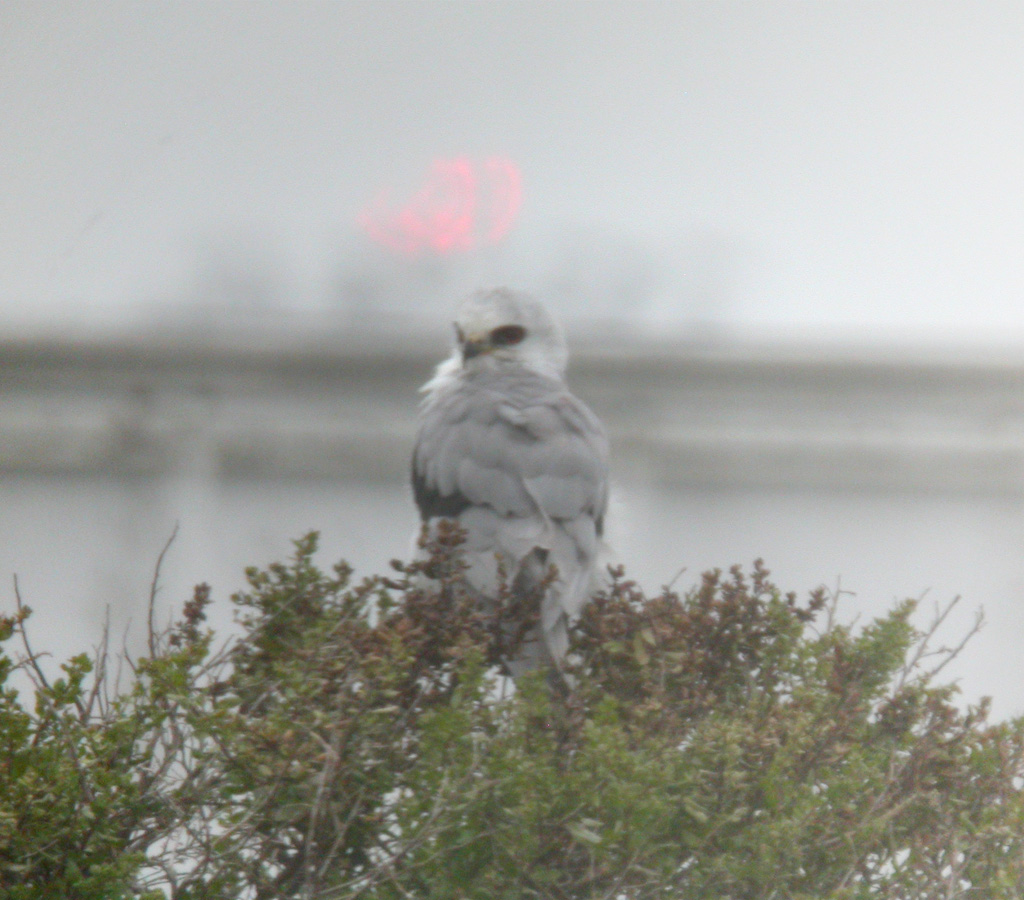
(806, 167)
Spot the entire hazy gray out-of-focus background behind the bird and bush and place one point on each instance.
(785, 239)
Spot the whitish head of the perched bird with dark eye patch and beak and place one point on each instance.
(508, 326)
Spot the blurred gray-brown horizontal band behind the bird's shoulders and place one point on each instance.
(678, 414)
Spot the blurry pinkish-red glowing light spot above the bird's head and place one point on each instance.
(462, 205)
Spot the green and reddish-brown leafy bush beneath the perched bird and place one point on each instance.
(356, 741)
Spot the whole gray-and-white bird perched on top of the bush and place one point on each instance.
(505, 450)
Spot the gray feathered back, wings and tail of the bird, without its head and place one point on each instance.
(523, 464)
